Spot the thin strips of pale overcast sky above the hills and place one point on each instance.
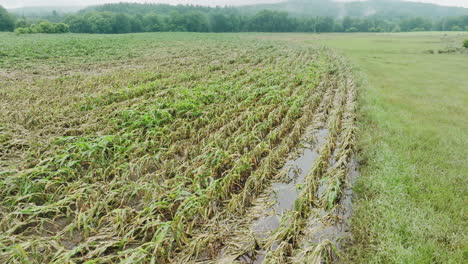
(21, 3)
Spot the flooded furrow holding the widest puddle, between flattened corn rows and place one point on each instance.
(249, 238)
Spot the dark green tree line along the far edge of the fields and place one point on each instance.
(122, 18)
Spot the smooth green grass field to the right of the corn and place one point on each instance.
(411, 196)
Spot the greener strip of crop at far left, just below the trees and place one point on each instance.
(57, 49)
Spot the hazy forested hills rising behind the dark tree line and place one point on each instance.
(391, 9)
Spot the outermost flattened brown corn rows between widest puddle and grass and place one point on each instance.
(301, 237)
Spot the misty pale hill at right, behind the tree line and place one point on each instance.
(382, 8)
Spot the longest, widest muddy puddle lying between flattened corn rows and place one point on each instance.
(285, 193)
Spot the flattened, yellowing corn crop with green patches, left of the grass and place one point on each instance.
(165, 159)
